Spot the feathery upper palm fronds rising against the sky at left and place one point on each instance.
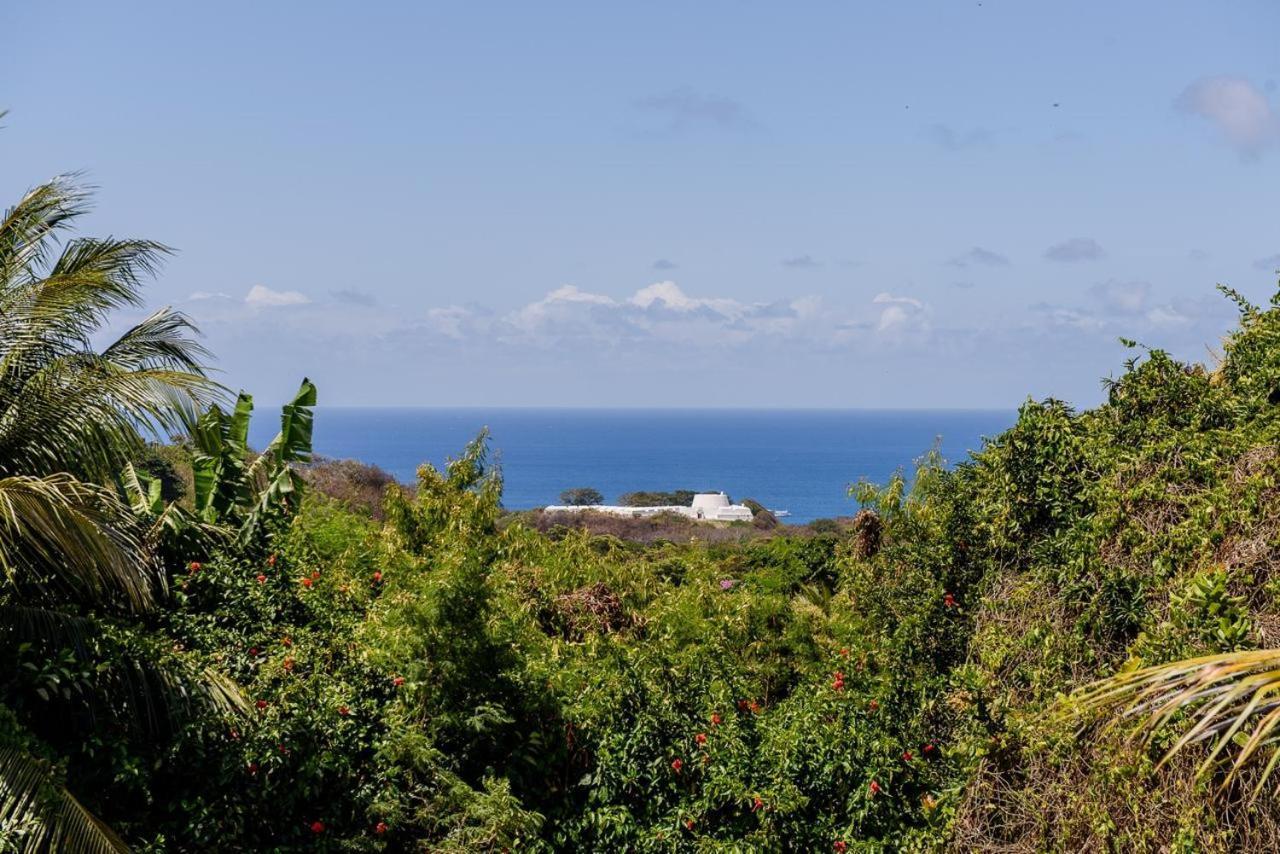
(63, 405)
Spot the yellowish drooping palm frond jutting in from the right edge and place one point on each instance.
(1223, 700)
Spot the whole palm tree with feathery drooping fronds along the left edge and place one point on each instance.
(72, 555)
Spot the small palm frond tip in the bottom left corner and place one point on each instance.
(33, 798)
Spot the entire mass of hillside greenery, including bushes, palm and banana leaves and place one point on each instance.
(220, 656)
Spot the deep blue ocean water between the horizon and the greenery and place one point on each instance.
(797, 460)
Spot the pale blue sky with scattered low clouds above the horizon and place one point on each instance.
(844, 204)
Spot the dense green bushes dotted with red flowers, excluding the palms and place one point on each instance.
(447, 678)
